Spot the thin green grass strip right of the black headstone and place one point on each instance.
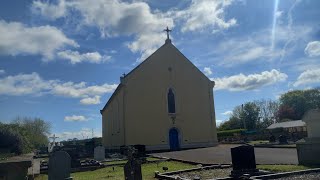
(283, 168)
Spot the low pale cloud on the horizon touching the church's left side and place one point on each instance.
(83, 133)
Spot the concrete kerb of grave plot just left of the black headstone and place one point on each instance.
(170, 175)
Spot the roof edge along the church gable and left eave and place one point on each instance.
(167, 42)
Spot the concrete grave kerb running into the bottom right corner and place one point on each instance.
(286, 174)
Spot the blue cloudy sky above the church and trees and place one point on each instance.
(61, 60)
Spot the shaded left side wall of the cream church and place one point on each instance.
(113, 122)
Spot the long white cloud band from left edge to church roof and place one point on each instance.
(33, 84)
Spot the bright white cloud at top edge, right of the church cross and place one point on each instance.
(203, 14)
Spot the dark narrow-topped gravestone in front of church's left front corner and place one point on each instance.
(132, 169)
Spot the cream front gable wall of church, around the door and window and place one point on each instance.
(147, 121)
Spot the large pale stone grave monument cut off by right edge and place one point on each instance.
(310, 149)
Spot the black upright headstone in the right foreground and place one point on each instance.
(243, 160)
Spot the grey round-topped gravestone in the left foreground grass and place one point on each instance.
(59, 166)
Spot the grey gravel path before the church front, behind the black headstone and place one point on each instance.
(222, 155)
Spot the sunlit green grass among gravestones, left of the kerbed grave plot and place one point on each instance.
(118, 173)
